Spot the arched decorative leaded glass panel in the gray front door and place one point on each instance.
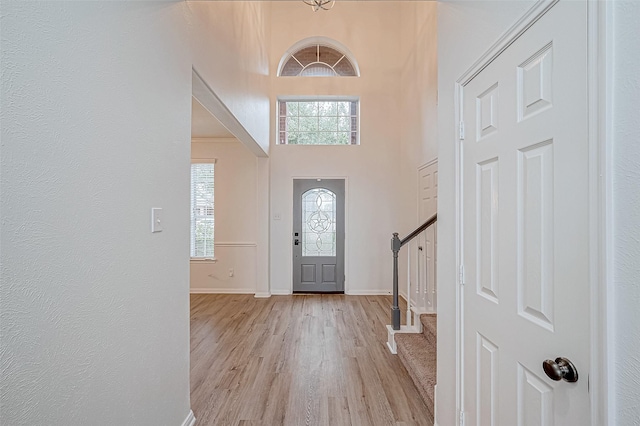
(318, 223)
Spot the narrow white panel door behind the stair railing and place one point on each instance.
(428, 206)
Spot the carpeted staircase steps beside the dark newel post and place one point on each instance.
(417, 351)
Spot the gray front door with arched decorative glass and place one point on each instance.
(318, 235)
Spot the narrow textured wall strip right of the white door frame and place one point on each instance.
(626, 194)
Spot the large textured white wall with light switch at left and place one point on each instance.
(95, 124)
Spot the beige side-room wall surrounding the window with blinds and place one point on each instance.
(235, 213)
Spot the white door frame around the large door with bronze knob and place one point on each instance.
(599, 81)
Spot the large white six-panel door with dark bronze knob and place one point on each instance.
(526, 227)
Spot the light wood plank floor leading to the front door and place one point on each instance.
(297, 360)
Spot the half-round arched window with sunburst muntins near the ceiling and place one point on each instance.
(318, 57)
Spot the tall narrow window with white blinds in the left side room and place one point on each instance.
(202, 203)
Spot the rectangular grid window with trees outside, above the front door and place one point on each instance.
(318, 122)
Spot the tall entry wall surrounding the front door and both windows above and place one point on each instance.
(371, 32)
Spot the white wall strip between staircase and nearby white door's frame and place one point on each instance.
(465, 30)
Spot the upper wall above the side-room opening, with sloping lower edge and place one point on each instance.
(231, 40)
